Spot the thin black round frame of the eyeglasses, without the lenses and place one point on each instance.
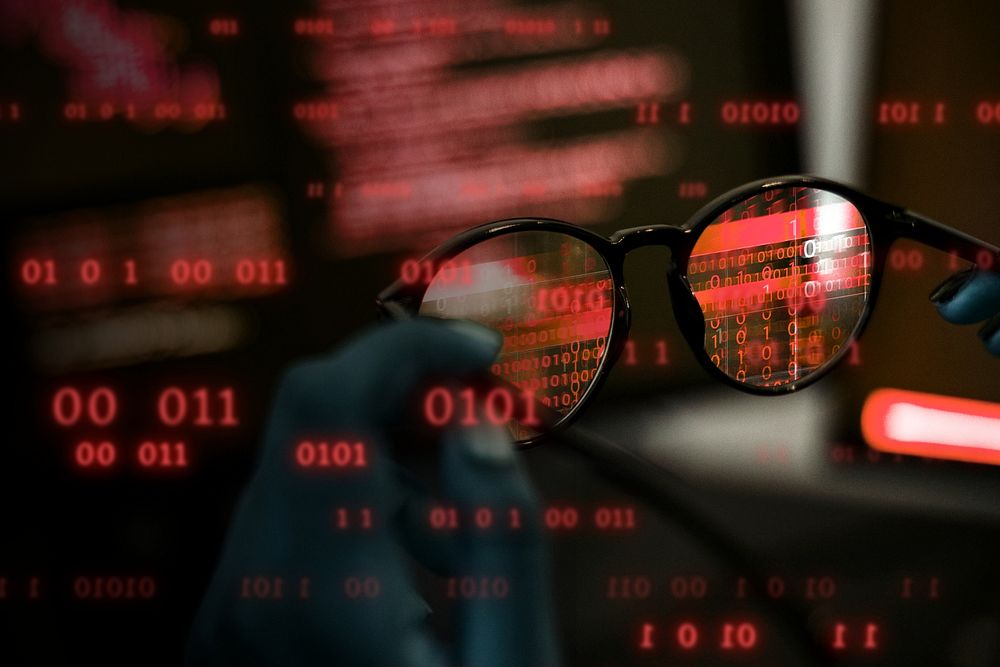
(886, 223)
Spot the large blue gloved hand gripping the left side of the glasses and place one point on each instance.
(284, 524)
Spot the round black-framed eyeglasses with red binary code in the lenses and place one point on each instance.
(770, 283)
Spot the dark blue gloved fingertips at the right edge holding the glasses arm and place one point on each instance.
(969, 297)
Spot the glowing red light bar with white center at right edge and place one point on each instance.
(941, 427)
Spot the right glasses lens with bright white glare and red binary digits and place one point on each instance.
(782, 279)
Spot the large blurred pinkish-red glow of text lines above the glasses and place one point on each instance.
(421, 148)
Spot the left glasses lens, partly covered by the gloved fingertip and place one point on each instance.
(550, 295)
